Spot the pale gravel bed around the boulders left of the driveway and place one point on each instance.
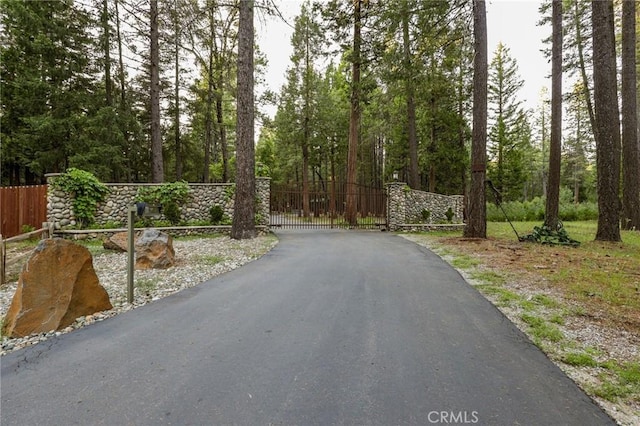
(197, 260)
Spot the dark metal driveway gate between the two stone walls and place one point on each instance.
(327, 205)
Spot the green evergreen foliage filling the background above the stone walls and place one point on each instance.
(75, 94)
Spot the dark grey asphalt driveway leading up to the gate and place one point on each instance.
(334, 327)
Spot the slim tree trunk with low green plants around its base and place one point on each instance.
(553, 190)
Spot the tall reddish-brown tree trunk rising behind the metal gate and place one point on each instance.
(354, 121)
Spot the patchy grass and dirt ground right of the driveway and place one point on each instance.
(580, 305)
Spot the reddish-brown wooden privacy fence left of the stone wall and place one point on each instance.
(22, 205)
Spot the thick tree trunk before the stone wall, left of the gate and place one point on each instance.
(244, 209)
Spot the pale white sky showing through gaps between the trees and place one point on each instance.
(511, 21)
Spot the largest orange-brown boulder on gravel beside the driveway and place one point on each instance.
(57, 285)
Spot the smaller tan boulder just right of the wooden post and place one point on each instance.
(154, 250)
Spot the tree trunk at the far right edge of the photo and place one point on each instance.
(630, 147)
